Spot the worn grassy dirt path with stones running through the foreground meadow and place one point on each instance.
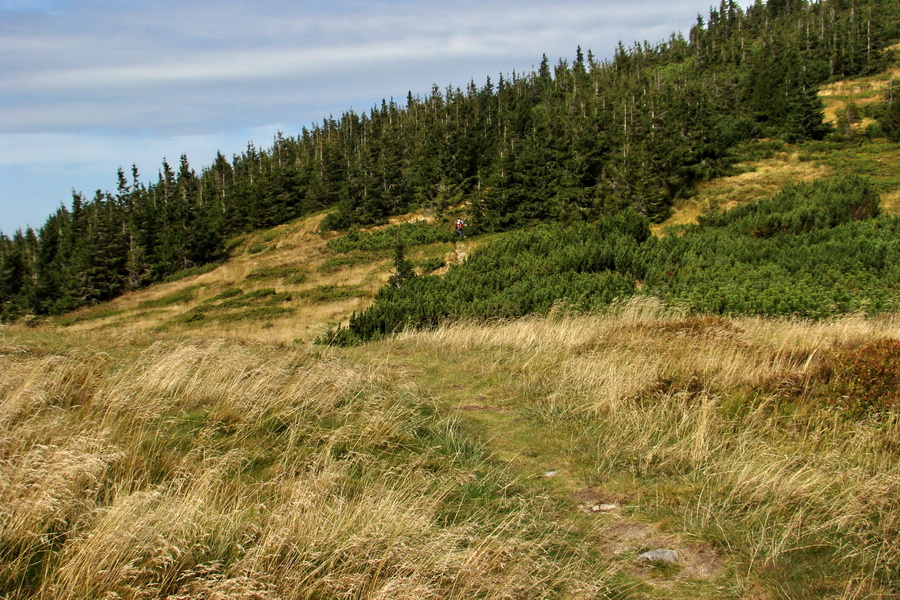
(550, 464)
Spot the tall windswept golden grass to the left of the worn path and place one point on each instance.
(209, 469)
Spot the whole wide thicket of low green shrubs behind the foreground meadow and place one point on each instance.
(814, 250)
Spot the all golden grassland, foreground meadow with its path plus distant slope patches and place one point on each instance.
(188, 441)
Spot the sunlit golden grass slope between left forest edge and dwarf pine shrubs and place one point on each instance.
(279, 285)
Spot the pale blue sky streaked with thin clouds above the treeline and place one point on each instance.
(87, 86)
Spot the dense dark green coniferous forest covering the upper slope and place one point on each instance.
(607, 144)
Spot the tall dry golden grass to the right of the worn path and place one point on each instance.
(732, 430)
